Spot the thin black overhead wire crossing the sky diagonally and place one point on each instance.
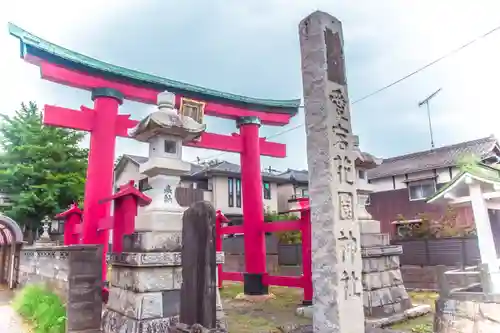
(452, 52)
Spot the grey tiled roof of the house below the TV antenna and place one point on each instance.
(442, 157)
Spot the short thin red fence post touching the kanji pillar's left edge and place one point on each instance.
(305, 216)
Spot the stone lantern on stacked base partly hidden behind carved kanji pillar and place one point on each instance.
(383, 289)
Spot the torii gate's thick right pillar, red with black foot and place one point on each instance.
(253, 207)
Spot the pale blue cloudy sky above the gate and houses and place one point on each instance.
(251, 48)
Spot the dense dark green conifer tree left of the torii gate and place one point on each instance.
(42, 168)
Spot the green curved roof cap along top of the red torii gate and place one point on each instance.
(31, 44)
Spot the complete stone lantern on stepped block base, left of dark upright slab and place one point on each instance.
(144, 293)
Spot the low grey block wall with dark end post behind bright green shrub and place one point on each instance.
(72, 272)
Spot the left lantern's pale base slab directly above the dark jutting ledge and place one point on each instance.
(152, 241)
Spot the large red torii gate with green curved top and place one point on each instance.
(110, 85)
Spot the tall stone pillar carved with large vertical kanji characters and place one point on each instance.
(336, 255)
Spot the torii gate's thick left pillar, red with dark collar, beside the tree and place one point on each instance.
(99, 183)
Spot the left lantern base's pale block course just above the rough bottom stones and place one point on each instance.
(142, 306)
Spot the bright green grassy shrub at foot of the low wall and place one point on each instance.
(42, 308)
